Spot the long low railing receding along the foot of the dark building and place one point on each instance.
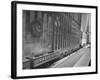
(47, 57)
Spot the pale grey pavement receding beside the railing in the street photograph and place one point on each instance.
(76, 59)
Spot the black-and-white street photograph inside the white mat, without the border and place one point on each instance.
(56, 39)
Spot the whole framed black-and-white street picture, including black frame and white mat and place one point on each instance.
(53, 39)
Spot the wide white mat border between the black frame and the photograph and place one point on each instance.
(36, 72)
